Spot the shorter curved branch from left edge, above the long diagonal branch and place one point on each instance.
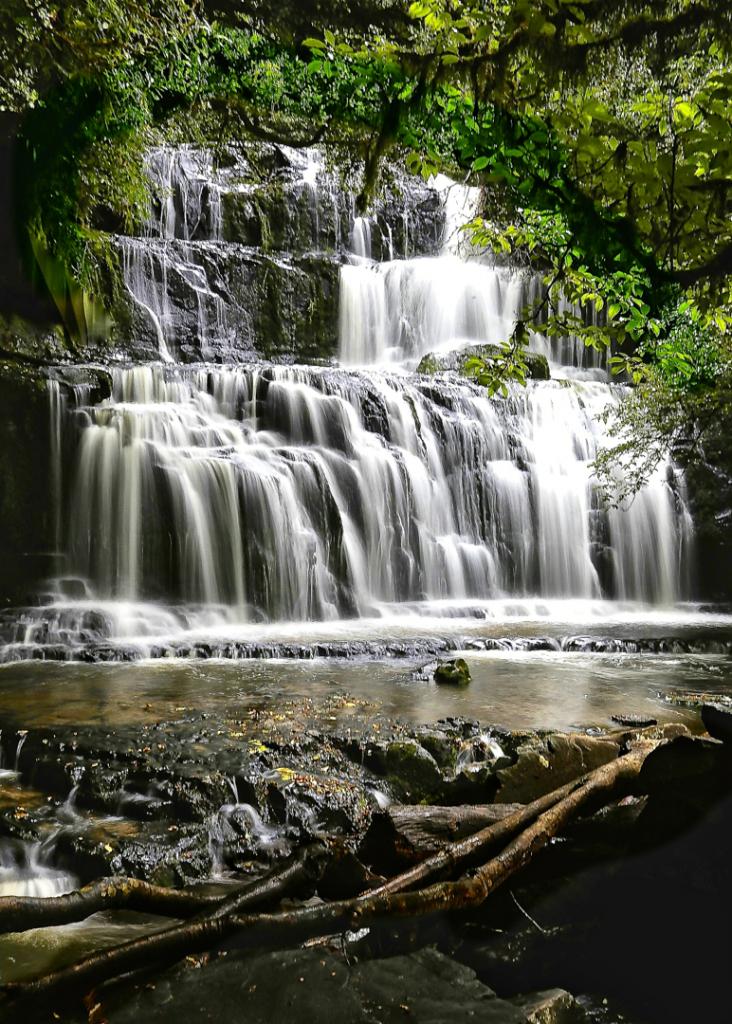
(22, 914)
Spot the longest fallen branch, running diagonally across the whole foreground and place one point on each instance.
(288, 928)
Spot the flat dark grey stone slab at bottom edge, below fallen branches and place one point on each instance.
(317, 986)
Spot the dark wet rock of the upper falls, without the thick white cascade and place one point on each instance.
(240, 260)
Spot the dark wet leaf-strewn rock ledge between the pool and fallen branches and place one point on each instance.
(179, 801)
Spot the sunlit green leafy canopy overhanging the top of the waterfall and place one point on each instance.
(600, 132)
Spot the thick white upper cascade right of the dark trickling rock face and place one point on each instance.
(399, 311)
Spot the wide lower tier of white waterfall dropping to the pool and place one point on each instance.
(309, 494)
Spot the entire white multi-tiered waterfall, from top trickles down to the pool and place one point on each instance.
(207, 495)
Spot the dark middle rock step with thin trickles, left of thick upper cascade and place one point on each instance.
(254, 306)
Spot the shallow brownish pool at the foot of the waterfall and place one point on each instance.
(516, 690)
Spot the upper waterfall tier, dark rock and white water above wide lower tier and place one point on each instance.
(263, 255)
